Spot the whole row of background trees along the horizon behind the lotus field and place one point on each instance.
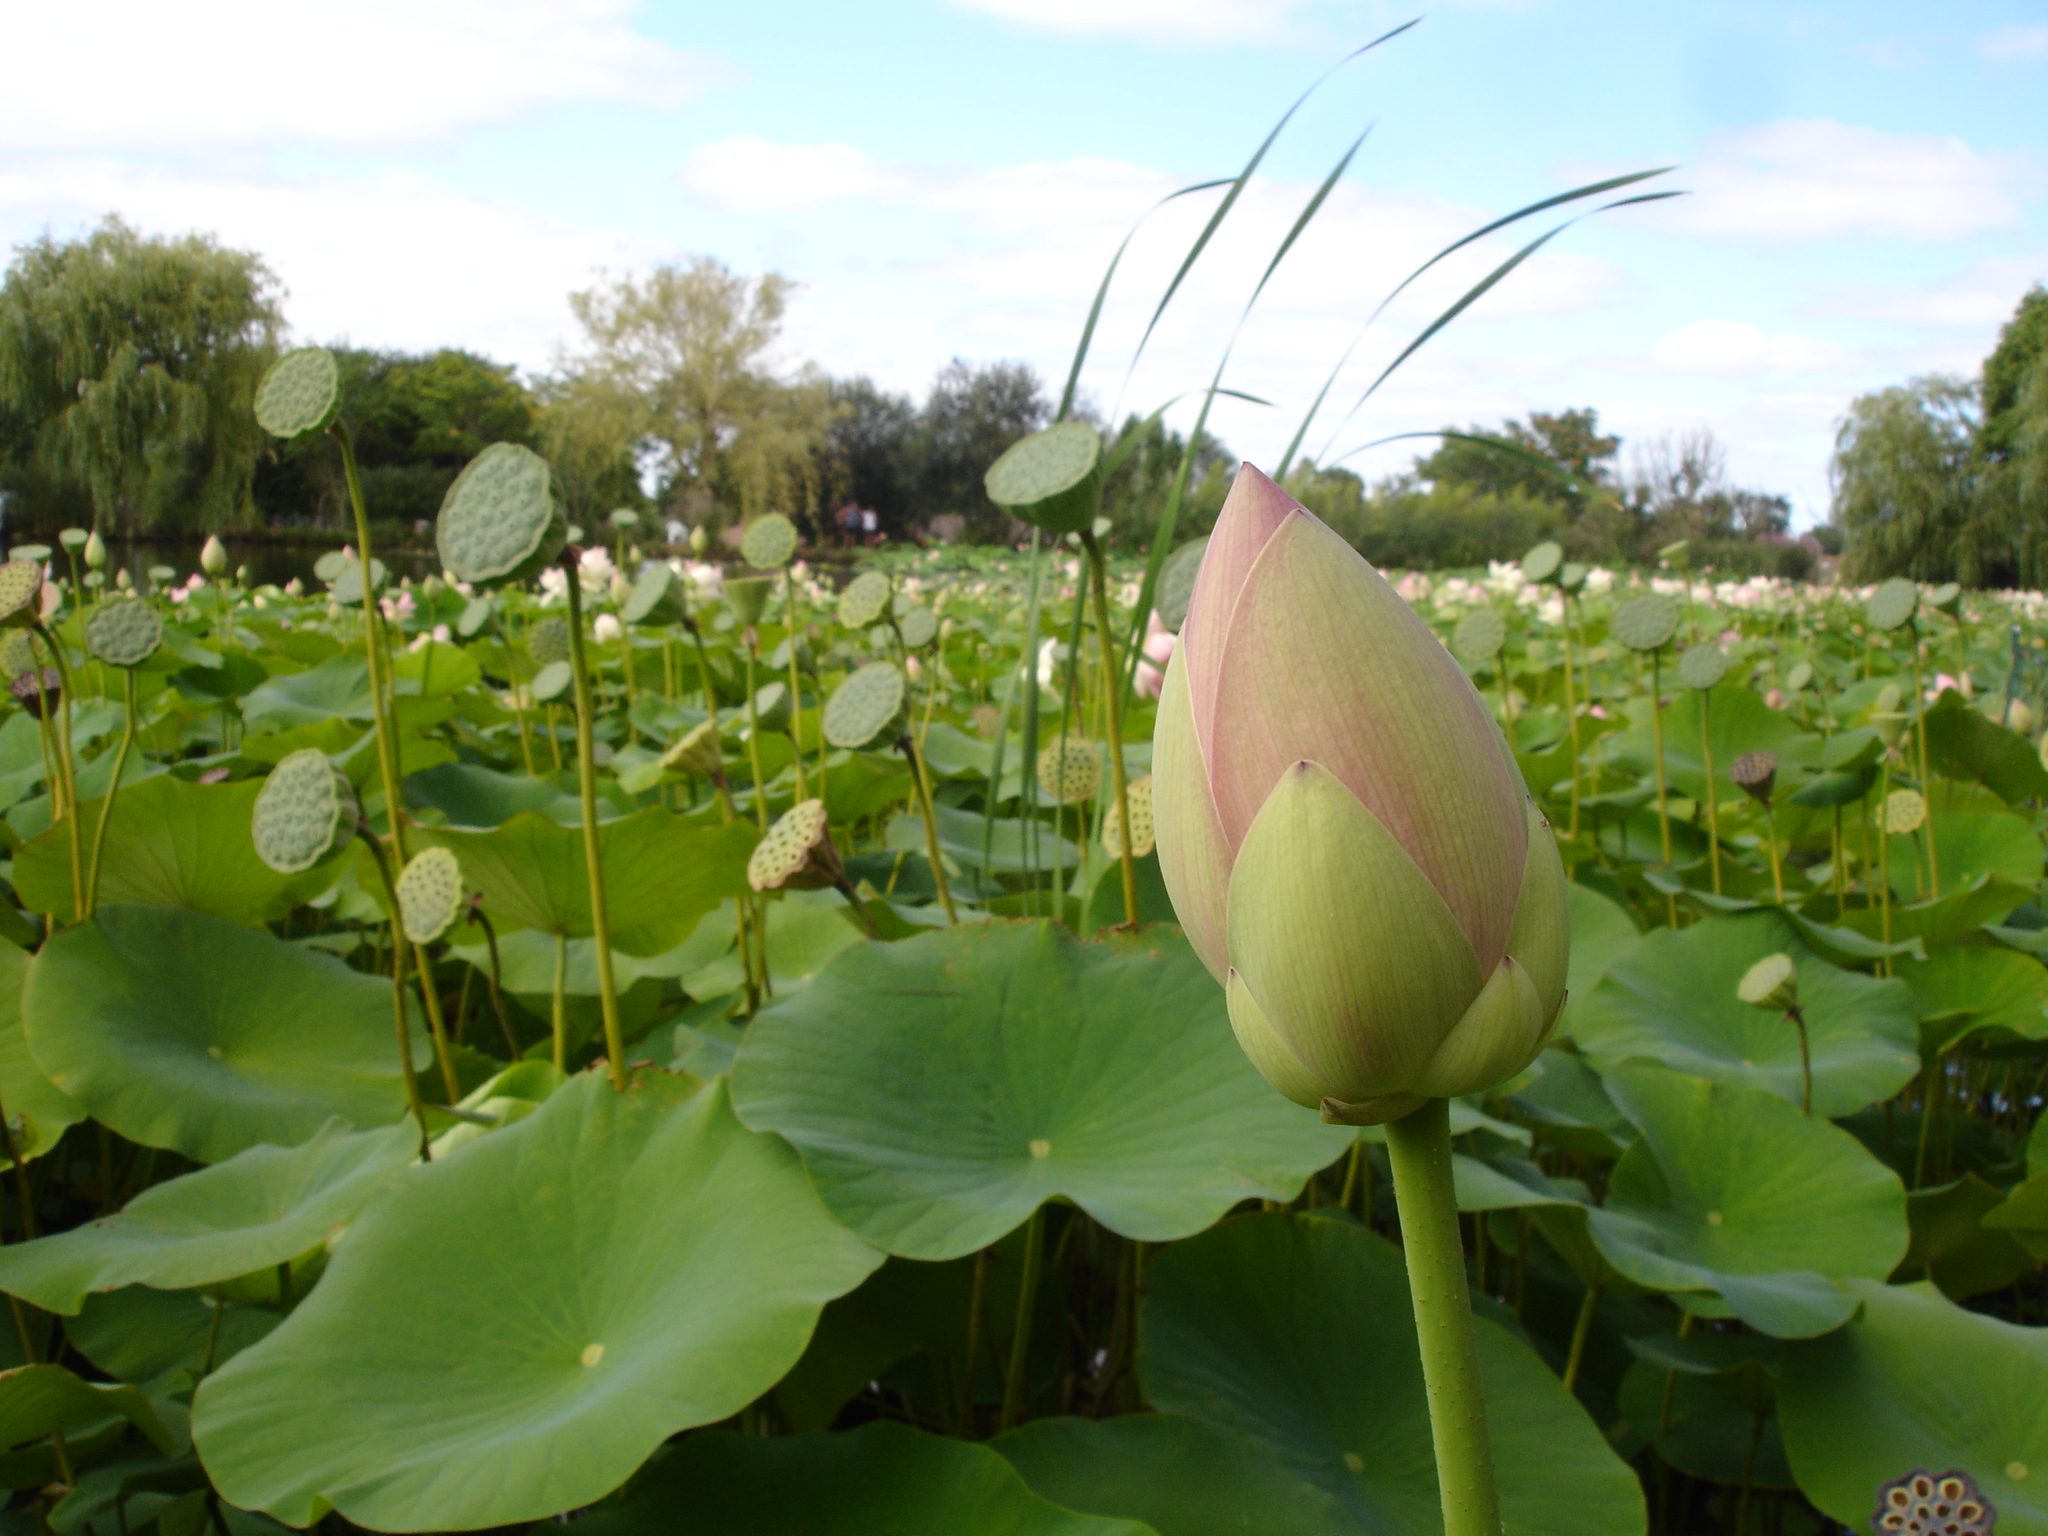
(128, 364)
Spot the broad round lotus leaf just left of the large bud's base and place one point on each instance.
(943, 1089)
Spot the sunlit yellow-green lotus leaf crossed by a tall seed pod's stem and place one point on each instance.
(660, 873)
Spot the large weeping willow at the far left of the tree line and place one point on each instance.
(128, 368)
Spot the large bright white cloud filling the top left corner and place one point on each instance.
(257, 75)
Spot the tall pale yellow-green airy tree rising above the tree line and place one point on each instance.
(685, 357)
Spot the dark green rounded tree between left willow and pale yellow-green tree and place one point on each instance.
(417, 421)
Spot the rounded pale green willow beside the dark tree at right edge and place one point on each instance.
(1906, 486)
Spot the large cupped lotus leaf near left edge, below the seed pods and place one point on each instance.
(189, 1033)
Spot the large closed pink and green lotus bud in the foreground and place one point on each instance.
(1342, 833)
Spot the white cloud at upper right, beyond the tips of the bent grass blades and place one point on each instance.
(1818, 179)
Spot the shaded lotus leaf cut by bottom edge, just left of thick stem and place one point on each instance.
(1179, 1476)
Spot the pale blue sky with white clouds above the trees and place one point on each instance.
(1865, 189)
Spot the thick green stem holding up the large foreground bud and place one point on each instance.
(1418, 1148)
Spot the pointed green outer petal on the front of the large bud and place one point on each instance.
(1353, 955)
